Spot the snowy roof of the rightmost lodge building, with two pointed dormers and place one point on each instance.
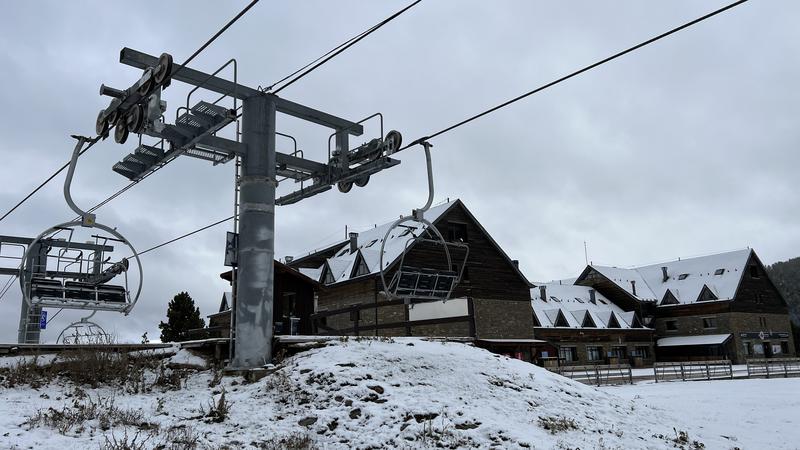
(686, 280)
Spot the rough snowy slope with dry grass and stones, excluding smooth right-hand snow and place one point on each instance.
(406, 393)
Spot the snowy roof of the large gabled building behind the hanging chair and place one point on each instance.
(369, 244)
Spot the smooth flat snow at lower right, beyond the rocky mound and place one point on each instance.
(749, 414)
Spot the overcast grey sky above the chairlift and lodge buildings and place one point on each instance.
(686, 147)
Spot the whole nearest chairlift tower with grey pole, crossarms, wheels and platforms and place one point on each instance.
(139, 110)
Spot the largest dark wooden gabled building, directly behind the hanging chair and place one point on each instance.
(491, 304)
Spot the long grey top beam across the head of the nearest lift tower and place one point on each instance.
(222, 86)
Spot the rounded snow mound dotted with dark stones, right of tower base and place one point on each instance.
(412, 392)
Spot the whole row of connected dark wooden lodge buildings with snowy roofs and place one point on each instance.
(720, 306)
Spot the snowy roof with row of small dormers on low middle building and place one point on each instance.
(574, 304)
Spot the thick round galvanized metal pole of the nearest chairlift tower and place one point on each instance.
(254, 302)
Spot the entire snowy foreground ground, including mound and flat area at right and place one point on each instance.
(405, 393)
